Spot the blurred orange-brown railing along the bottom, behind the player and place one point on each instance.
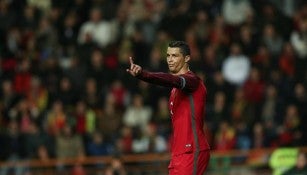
(255, 161)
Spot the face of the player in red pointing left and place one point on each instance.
(175, 60)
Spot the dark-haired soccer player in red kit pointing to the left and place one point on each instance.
(190, 151)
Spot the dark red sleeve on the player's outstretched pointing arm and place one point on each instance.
(187, 82)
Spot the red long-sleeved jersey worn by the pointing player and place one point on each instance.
(187, 107)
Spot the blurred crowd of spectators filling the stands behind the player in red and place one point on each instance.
(65, 93)
